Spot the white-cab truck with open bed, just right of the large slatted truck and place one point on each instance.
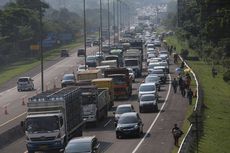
(94, 102)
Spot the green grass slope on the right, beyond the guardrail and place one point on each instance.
(216, 123)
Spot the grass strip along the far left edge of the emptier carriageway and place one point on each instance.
(10, 71)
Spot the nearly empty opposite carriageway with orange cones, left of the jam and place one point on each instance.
(12, 108)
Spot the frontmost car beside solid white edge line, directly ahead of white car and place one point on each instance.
(148, 102)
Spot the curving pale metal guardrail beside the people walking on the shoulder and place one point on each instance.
(190, 141)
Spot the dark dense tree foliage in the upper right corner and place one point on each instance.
(205, 25)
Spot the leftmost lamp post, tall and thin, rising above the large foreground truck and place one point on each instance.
(41, 49)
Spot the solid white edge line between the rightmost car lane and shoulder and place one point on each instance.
(153, 123)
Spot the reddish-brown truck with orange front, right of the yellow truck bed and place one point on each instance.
(122, 81)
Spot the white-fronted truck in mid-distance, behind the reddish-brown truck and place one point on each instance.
(132, 59)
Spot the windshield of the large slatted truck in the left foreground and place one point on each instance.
(40, 124)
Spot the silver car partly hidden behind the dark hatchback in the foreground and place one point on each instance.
(124, 108)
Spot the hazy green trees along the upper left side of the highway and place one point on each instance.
(20, 28)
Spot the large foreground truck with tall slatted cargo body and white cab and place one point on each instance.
(53, 118)
